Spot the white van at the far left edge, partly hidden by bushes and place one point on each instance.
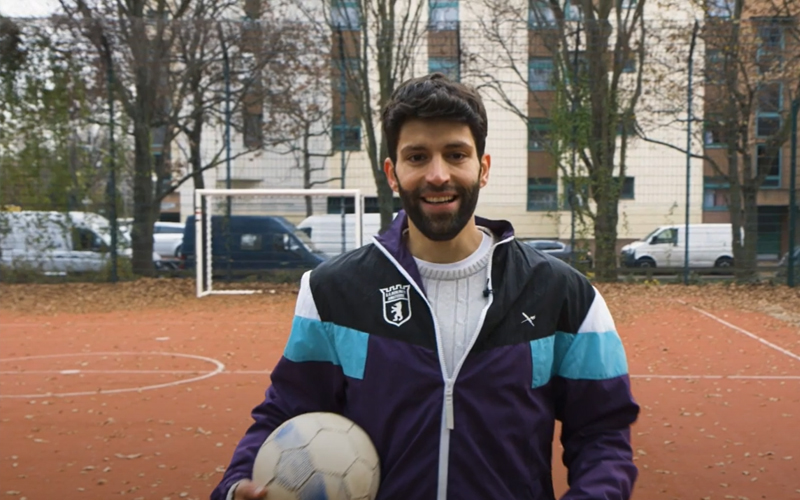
(58, 242)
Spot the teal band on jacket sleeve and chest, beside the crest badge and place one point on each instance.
(314, 340)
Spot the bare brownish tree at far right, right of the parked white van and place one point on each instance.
(749, 70)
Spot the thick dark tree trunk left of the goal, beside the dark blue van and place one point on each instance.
(142, 231)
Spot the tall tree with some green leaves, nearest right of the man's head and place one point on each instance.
(597, 53)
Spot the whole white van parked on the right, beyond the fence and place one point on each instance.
(710, 245)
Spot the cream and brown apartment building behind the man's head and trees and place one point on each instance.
(525, 186)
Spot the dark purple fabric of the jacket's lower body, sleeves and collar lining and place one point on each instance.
(500, 447)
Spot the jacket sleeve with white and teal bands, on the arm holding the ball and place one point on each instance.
(307, 378)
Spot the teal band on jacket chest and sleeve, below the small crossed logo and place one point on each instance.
(587, 356)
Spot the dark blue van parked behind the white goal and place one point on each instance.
(252, 243)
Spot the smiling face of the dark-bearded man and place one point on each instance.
(438, 176)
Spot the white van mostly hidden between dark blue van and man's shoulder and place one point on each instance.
(325, 231)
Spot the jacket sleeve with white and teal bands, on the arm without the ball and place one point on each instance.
(593, 401)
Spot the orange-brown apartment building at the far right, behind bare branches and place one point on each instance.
(767, 65)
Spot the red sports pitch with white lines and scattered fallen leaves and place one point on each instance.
(185, 383)
